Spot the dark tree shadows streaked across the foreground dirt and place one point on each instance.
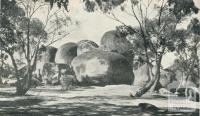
(32, 106)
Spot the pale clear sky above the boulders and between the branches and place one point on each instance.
(92, 26)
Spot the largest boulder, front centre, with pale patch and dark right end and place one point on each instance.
(102, 68)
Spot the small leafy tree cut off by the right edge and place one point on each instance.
(187, 49)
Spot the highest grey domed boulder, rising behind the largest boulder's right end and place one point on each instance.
(112, 41)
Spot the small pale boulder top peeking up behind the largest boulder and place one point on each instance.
(85, 46)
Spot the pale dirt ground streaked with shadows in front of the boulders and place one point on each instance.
(85, 101)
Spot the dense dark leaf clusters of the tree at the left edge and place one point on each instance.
(14, 28)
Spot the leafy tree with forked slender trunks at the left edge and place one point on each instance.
(18, 35)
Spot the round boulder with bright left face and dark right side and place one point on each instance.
(66, 53)
